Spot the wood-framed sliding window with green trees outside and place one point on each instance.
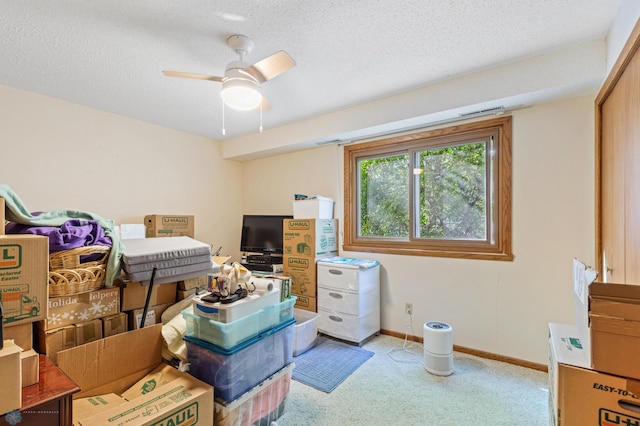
(444, 192)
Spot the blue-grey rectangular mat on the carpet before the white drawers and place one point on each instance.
(328, 364)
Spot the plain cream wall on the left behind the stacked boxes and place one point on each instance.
(58, 155)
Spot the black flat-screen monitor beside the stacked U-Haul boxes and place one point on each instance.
(262, 234)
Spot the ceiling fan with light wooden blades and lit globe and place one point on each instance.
(241, 84)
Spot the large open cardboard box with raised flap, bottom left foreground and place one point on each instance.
(114, 364)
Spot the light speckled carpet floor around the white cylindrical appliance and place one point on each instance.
(392, 387)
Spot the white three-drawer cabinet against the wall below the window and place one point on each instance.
(348, 298)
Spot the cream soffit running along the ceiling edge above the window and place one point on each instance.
(571, 72)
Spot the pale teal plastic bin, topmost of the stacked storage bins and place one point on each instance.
(230, 334)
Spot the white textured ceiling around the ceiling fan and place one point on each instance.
(109, 54)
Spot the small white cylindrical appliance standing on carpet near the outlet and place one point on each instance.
(438, 348)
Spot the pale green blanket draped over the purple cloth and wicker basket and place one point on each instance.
(16, 211)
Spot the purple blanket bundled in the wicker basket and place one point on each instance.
(71, 234)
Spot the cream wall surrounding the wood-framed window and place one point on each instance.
(498, 307)
